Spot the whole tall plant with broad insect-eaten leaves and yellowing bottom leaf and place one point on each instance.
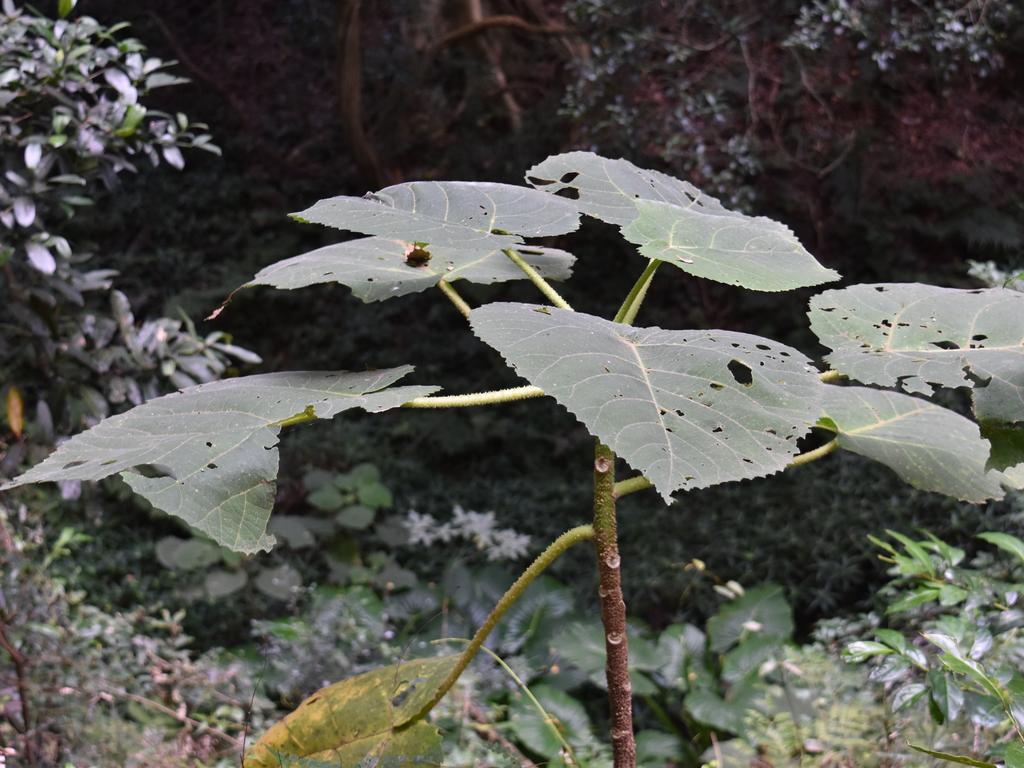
(685, 409)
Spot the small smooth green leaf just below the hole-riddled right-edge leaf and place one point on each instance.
(931, 448)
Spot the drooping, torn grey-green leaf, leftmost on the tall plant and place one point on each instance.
(208, 454)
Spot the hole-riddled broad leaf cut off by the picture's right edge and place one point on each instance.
(922, 337)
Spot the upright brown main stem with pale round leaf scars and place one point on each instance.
(613, 610)
